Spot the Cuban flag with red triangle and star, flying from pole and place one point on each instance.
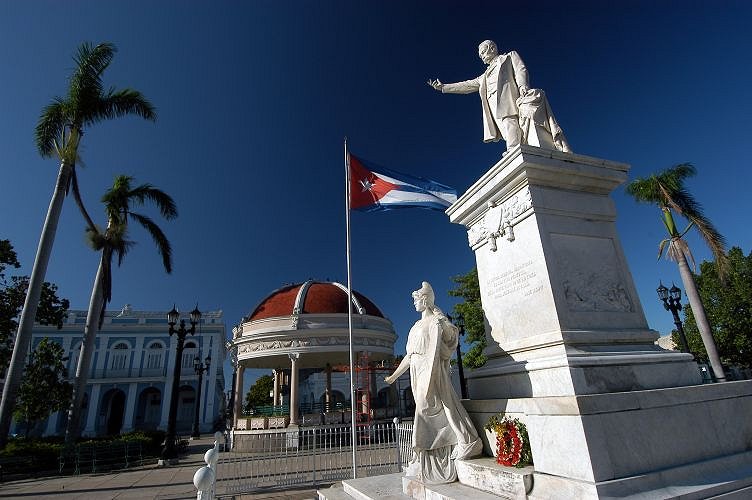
(374, 188)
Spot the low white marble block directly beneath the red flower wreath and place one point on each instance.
(486, 475)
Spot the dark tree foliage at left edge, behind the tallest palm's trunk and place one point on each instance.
(51, 311)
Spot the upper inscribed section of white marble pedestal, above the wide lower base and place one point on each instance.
(563, 314)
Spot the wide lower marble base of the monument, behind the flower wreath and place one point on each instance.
(680, 442)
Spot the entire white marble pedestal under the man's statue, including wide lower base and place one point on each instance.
(609, 413)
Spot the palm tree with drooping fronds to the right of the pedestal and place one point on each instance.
(666, 189)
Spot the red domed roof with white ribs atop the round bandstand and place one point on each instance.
(315, 298)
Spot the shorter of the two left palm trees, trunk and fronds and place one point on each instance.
(118, 201)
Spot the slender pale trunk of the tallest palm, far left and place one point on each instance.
(29, 312)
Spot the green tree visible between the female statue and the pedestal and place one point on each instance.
(472, 311)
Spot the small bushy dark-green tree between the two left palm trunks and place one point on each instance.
(44, 389)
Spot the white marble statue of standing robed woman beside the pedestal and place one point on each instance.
(442, 430)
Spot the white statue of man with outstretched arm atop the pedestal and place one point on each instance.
(511, 110)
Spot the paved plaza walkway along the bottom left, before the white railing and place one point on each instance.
(148, 482)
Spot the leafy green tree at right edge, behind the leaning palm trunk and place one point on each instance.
(728, 305)
